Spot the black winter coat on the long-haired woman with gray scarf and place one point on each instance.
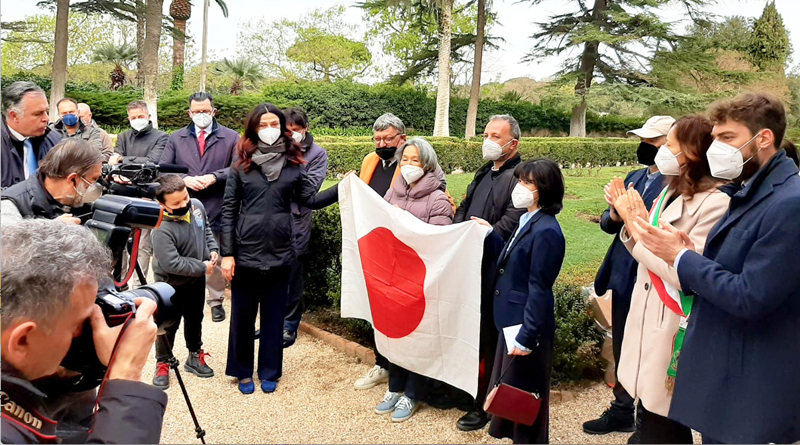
(257, 222)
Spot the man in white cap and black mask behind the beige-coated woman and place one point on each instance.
(618, 271)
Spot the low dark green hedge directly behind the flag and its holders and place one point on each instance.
(577, 347)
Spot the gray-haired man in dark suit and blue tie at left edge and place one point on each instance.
(26, 138)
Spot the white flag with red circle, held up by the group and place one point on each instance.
(418, 284)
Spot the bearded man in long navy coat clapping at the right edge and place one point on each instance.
(737, 373)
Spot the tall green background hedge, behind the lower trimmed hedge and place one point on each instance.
(340, 105)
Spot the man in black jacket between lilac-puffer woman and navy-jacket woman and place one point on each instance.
(489, 198)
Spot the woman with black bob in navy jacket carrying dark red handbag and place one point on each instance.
(523, 294)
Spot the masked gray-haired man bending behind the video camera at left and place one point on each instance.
(63, 185)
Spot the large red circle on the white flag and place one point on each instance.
(395, 277)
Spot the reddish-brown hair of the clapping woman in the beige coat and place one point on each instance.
(694, 135)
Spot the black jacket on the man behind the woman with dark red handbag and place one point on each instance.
(501, 213)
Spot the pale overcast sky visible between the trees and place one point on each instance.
(516, 25)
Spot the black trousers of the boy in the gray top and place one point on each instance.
(187, 303)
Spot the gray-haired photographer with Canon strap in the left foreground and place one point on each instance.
(50, 272)
